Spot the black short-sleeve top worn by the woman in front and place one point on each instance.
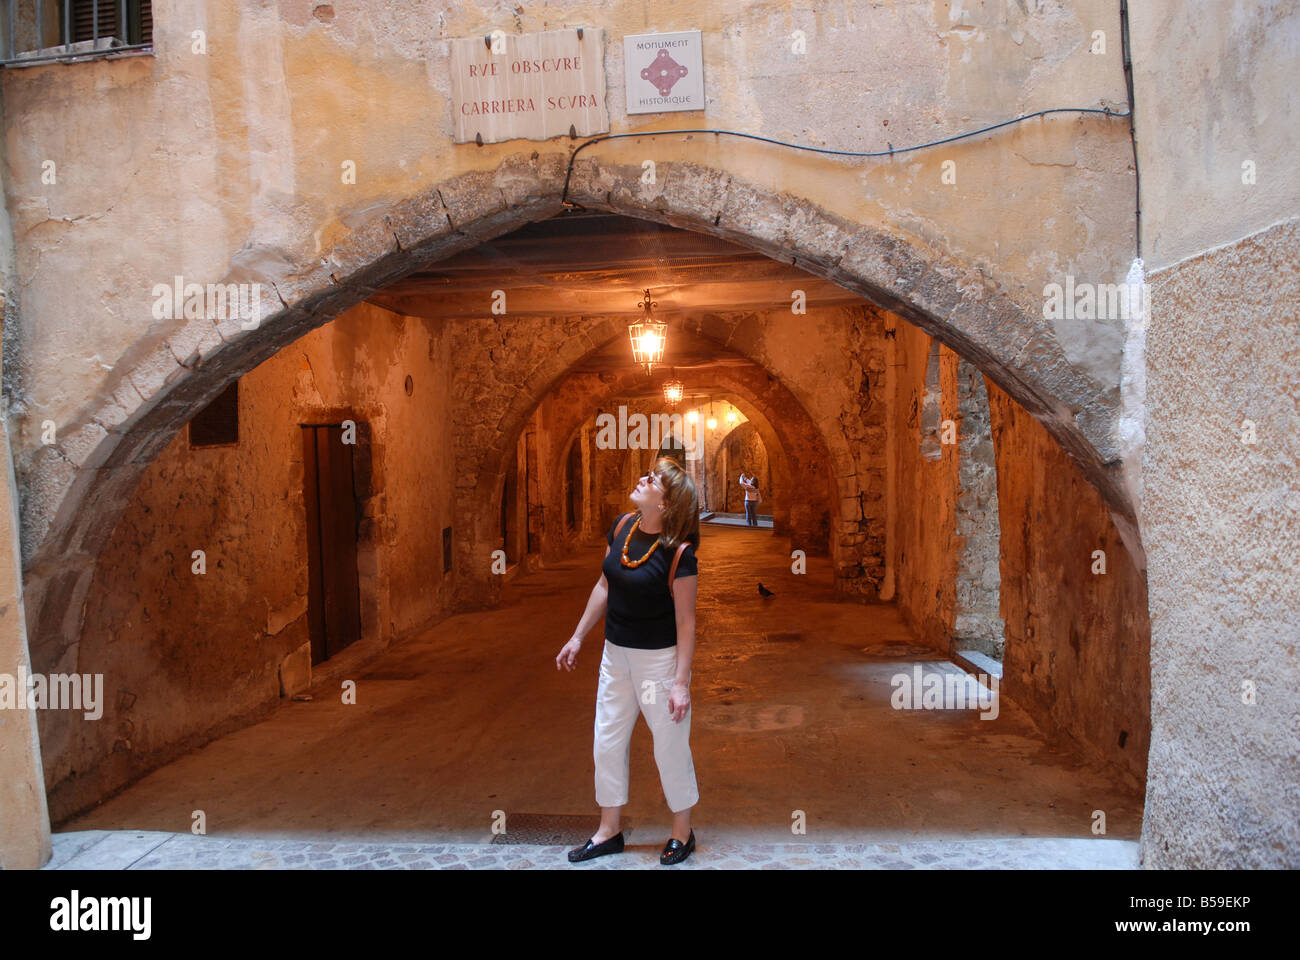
(640, 612)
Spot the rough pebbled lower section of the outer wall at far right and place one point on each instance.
(1223, 521)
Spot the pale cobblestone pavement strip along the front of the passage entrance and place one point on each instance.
(144, 850)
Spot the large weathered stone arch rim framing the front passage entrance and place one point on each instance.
(77, 490)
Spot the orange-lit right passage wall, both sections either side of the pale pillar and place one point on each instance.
(1076, 643)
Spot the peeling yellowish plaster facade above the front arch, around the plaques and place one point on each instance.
(229, 166)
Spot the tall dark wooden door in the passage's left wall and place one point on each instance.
(333, 596)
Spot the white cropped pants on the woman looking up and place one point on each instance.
(623, 691)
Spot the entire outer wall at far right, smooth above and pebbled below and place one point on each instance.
(1221, 194)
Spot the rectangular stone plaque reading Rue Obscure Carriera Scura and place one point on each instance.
(531, 87)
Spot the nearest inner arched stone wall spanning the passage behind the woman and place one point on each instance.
(805, 387)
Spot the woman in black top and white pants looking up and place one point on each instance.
(647, 594)
